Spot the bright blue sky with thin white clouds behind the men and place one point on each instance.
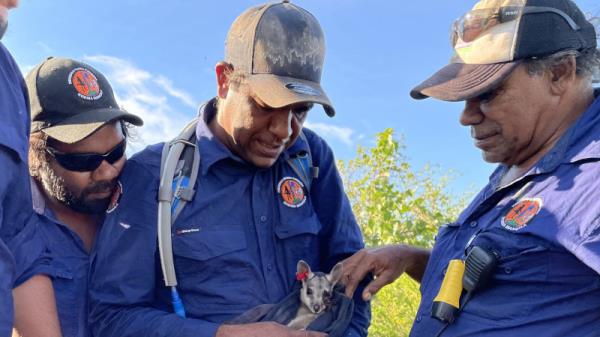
(160, 56)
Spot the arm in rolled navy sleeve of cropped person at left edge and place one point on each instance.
(33, 296)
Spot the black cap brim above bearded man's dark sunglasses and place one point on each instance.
(80, 126)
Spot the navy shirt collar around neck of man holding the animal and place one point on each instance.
(212, 150)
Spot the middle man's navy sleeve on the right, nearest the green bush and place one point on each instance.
(342, 236)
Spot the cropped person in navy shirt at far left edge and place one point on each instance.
(22, 249)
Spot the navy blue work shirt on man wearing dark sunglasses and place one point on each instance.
(69, 270)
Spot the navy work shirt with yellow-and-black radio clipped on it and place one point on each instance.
(545, 229)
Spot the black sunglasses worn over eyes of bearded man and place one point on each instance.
(84, 162)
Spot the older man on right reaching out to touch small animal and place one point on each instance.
(527, 248)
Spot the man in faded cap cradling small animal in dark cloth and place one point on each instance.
(237, 242)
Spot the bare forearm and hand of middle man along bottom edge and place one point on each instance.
(262, 329)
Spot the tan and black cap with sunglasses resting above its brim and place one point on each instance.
(492, 39)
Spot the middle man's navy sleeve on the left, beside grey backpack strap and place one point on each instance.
(125, 276)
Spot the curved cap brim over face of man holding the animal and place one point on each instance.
(279, 91)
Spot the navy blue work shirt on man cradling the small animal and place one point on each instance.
(236, 244)
